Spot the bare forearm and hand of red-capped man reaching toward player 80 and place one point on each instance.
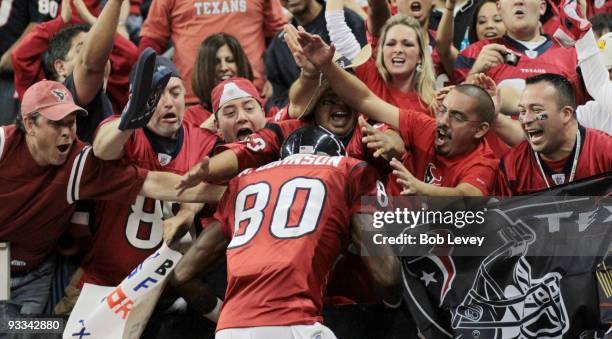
(161, 186)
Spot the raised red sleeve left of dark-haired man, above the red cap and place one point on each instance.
(27, 55)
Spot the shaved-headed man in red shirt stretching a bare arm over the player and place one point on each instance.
(449, 154)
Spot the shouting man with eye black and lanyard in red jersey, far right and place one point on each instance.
(557, 150)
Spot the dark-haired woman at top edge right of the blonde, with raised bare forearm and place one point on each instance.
(486, 23)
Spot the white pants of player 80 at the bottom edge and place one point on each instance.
(314, 331)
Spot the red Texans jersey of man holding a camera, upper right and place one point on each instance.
(549, 57)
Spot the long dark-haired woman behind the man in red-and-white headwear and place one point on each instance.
(220, 57)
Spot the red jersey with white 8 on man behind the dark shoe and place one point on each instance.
(127, 234)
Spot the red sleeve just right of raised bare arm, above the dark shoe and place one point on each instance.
(123, 57)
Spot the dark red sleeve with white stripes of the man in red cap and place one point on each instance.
(92, 178)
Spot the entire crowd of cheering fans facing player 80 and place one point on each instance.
(441, 97)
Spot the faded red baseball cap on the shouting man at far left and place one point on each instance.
(51, 99)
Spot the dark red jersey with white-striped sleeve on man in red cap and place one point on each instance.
(37, 202)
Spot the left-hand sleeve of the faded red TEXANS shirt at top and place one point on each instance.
(157, 26)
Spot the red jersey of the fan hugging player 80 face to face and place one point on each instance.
(264, 145)
